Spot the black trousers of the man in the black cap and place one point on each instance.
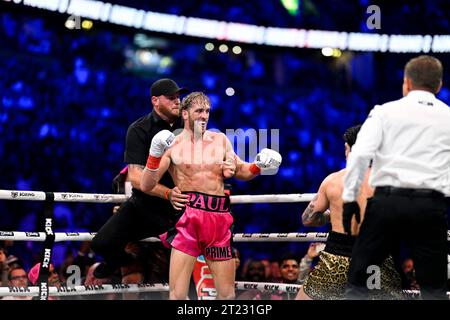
(138, 218)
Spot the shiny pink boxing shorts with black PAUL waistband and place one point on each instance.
(204, 228)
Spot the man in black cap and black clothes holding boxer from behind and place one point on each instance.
(143, 214)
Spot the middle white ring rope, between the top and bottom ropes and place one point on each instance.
(238, 237)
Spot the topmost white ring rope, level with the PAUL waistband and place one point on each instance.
(117, 198)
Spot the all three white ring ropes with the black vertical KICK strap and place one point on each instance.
(49, 238)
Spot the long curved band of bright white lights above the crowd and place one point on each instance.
(244, 33)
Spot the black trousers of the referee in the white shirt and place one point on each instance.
(417, 221)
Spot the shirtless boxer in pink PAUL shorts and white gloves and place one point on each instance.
(198, 161)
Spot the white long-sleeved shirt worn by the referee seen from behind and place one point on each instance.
(409, 142)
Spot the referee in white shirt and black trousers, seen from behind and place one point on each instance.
(408, 141)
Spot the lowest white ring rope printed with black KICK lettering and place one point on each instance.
(156, 287)
